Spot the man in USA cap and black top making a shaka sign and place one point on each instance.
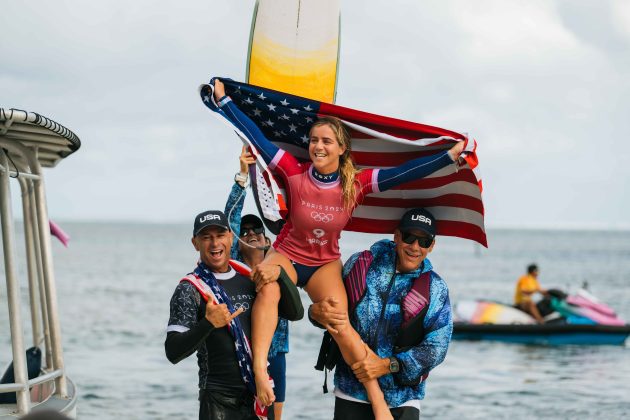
(211, 314)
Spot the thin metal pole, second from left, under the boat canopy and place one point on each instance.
(30, 261)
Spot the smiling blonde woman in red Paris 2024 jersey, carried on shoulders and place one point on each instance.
(322, 196)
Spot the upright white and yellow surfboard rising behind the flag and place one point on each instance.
(294, 47)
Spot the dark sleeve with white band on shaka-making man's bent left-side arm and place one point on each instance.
(184, 332)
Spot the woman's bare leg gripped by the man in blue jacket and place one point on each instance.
(327, 282)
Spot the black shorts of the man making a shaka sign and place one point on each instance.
(226, 404)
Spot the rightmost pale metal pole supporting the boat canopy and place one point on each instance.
(49, 277)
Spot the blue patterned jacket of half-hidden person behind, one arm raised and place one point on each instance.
(233, 210)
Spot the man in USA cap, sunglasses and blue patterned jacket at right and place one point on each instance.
(400, 308)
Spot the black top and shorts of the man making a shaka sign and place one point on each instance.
(223, 393)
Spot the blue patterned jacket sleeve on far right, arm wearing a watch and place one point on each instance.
(438, 325)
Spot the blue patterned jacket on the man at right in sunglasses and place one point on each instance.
(415, 362)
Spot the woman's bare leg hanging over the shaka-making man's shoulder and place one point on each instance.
(264, 322)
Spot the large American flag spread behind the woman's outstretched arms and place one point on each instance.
(452, 194)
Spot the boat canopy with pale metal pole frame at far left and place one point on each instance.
(29, 142)
